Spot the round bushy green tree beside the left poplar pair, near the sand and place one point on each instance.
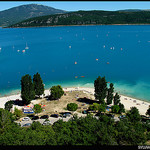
(56, 92)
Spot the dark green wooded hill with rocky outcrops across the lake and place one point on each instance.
(88, 17)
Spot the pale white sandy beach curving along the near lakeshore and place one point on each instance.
(127, 101)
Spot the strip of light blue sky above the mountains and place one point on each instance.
(81, 5)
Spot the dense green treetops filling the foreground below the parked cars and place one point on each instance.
(77, 131)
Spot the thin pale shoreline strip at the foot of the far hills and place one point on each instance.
(72, 25)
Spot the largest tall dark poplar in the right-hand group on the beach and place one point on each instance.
(100, 85)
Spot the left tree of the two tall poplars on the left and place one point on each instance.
(27, 89)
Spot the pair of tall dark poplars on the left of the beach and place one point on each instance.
(29, 89)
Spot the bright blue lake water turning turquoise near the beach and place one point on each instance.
(50, 55)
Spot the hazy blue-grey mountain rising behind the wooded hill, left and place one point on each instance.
(23, 12)
